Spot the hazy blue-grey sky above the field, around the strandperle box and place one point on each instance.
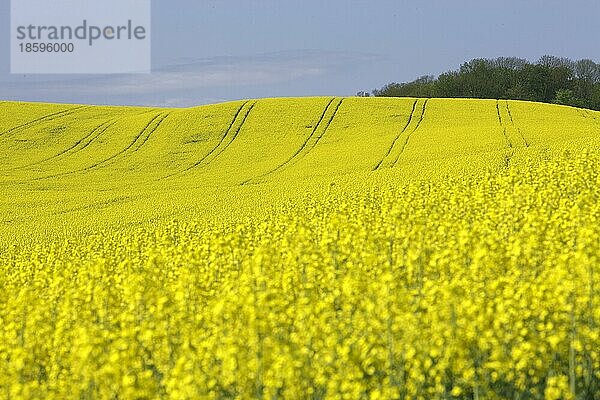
(209, 51)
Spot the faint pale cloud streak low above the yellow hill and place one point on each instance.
(173, 83)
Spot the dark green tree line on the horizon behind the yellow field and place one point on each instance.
(551, 80)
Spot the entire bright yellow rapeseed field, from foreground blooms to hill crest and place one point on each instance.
(325, 248)
